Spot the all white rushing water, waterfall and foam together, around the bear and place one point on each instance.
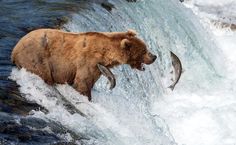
(141, 110)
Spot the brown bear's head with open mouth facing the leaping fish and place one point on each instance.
(135, 51)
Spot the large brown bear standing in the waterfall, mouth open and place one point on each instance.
(73, 58)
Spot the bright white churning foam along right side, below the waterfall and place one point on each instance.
(207, 117)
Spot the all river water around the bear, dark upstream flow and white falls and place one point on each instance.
(141, 110)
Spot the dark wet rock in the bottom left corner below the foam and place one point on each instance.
(31, 130)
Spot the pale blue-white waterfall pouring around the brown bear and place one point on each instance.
(131, 113)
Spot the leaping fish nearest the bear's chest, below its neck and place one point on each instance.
(107, 73)
